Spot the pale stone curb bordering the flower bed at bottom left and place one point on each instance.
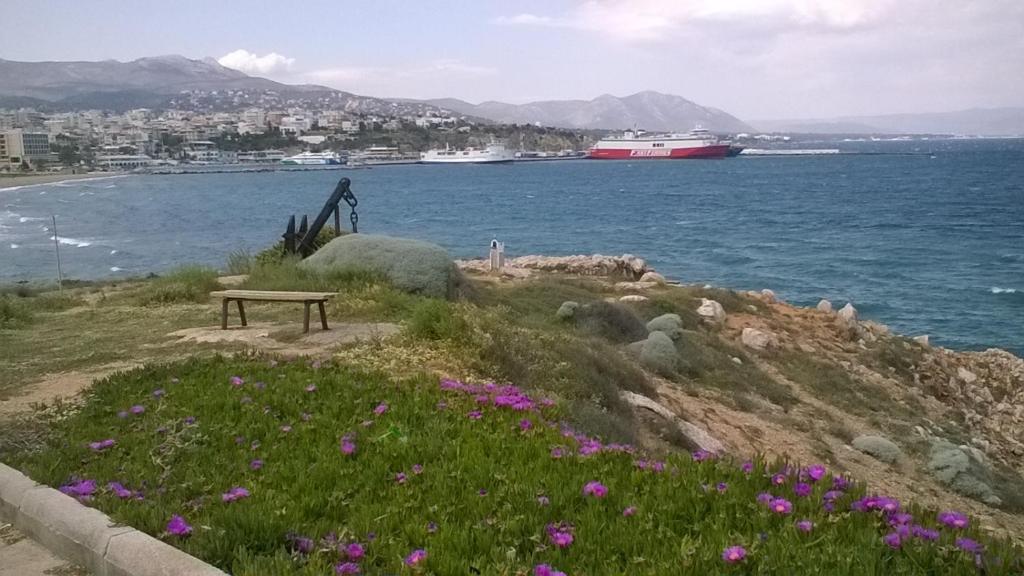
(88, 537)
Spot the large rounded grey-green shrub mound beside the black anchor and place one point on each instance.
(412, 266)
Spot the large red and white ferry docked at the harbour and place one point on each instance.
(636, 145)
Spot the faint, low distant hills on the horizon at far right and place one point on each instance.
(989, 122)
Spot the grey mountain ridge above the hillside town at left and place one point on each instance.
(151, 83)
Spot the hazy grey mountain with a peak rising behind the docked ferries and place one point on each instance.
(653, 111)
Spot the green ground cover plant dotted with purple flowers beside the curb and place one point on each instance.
(300, 468)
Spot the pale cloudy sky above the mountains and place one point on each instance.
(755, 59)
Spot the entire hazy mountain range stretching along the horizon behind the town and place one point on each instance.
(155, 83)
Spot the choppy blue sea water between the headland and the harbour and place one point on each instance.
(927, 237)
